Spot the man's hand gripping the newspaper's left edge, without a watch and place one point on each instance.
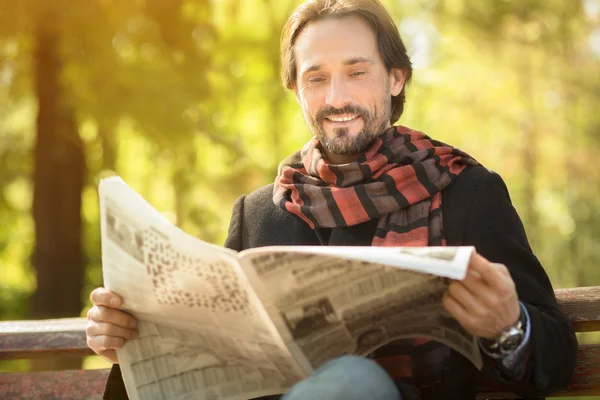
(108, 327)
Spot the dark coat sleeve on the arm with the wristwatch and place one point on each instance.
(496, 231)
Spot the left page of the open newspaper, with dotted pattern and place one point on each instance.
(203, 332)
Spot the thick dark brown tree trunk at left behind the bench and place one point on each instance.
(57, 186)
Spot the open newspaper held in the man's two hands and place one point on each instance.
(217, 324)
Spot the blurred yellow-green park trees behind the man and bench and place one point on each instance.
(182, 98)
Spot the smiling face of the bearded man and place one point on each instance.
(342, 84)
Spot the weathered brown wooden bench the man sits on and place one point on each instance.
(50, 338)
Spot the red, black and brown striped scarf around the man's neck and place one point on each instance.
(398, 181)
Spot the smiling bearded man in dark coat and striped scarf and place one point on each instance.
(361, 181)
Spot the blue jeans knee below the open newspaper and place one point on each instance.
(346, 378)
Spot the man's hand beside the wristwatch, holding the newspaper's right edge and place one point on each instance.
(486, 301)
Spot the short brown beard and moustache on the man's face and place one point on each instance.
(341, 143)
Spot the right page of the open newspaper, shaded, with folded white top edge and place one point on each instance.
(330, 301)
